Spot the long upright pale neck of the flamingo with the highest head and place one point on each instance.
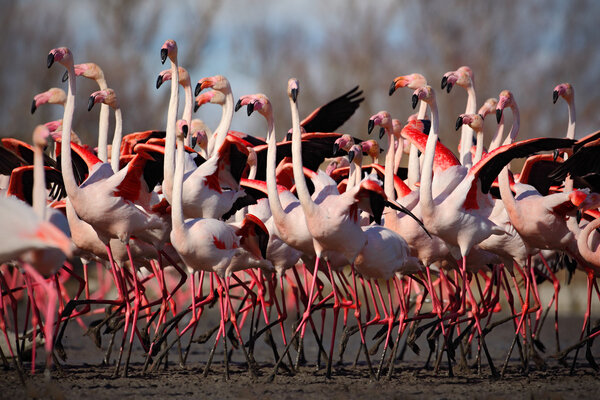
(169, 163)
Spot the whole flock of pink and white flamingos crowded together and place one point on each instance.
(449, 247)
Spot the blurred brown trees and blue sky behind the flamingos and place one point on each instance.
(525, 46)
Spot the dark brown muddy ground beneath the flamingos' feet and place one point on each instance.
(83, 374)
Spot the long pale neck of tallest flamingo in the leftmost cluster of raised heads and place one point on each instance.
(65, 151)
